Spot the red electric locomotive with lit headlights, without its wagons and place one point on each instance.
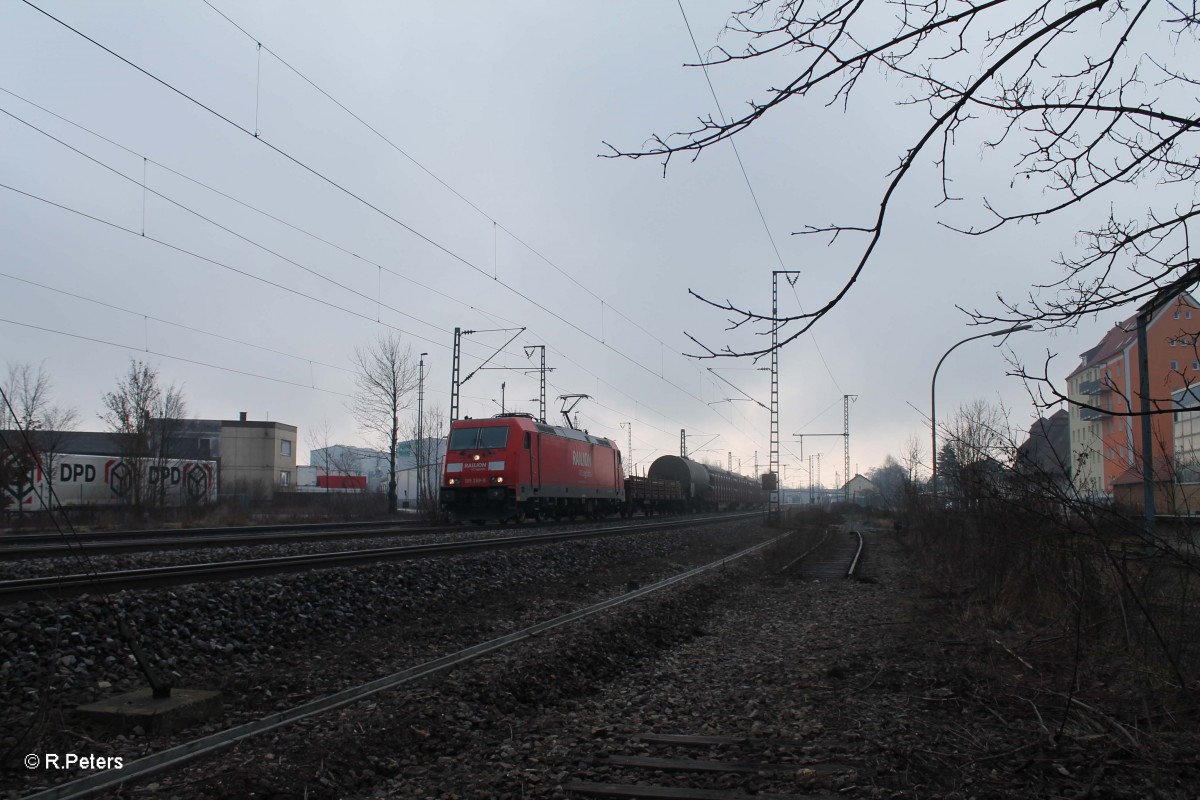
(511, 467)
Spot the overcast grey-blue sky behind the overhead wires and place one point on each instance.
(491, 210)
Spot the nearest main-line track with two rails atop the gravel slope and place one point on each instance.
(43, 588)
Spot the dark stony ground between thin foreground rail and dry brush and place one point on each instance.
(860, 689)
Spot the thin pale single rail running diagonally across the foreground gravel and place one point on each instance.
(215, 743)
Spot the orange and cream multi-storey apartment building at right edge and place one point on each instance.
(1105, 446)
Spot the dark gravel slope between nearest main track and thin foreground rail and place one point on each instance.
(273, 643)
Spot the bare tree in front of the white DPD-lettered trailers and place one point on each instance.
(145, 419)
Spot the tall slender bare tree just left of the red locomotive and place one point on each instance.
(385, 377)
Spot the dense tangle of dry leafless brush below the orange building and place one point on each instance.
(1072, 588)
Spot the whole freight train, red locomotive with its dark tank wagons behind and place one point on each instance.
(513, 467)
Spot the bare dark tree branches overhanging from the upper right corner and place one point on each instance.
(1089, 103)
